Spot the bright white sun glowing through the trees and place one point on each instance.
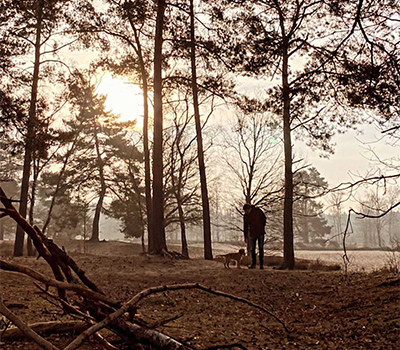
(122, 98)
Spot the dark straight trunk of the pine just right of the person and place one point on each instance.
(288, 244)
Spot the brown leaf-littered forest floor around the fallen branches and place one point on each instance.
(322, 309)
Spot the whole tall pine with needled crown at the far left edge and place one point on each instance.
(29, 27)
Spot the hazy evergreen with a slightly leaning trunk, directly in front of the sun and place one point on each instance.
(98, 149)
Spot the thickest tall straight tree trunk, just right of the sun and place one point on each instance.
(159, 243)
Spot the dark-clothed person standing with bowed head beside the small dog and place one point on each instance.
(254, 230)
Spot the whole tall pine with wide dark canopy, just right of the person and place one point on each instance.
(267, 38)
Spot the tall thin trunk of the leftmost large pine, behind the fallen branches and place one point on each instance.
(19, 235)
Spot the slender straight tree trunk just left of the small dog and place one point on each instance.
(200, 152)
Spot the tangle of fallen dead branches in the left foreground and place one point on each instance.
(87, 300)
